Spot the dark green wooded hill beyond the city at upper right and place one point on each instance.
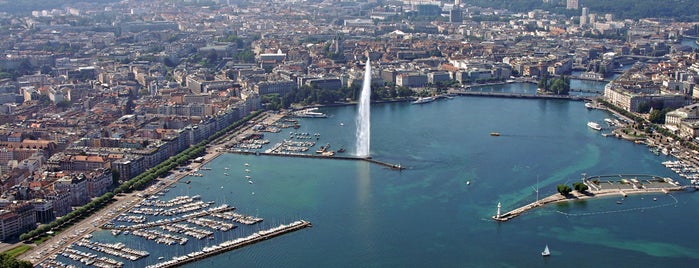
(684, 10)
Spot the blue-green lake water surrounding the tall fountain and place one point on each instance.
(365, 215)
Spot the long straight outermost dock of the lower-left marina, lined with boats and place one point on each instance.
(233, 244)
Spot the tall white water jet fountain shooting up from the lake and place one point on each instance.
(364, 114)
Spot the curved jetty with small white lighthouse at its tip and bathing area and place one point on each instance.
(596, 191)
